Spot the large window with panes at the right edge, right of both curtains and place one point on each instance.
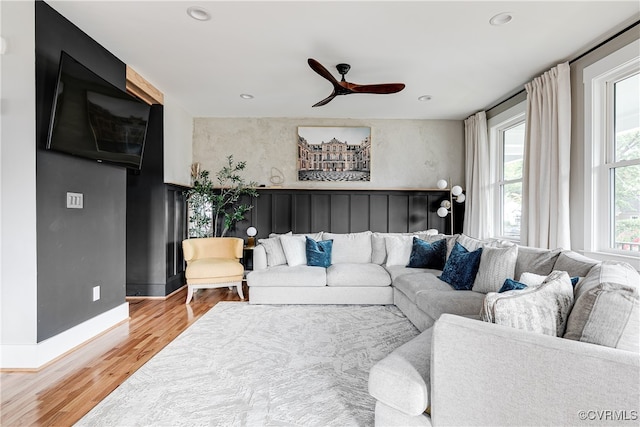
(612, 154)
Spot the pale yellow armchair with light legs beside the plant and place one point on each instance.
(213, 262)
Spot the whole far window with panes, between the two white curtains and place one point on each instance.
(506, 140)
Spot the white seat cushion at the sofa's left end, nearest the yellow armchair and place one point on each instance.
(284, 275)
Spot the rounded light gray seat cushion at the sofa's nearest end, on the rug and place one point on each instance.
(401, 380)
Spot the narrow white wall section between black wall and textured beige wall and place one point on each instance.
(178, 133)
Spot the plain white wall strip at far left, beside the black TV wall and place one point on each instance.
(18, 271)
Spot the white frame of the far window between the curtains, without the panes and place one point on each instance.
(497, 125)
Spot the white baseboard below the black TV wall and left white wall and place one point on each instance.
(35, 356)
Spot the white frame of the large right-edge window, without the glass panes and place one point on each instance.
(599, 163)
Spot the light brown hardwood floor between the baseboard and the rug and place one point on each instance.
(64, 391)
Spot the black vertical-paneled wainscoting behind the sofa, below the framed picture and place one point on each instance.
(348, 211)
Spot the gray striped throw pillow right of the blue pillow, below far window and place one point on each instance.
(497, 264)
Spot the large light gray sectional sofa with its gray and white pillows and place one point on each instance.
(562, 351)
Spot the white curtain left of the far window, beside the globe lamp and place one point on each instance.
(477, 214)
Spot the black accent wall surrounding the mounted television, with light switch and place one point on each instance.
(77, 249)
